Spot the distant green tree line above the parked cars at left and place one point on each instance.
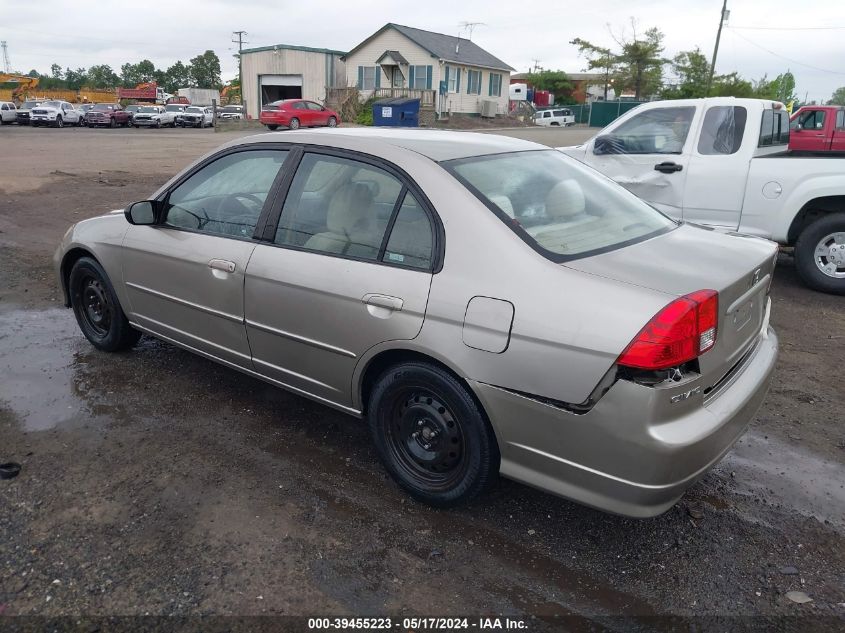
(202, 71)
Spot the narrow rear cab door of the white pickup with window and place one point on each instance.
(716, 158)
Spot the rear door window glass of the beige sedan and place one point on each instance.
(344, 207)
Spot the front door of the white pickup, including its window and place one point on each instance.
(648, 153)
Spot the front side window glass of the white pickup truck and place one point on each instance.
(655, 131)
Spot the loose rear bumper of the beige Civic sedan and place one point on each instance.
(635, 452)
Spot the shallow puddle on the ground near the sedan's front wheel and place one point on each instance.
(39, 351)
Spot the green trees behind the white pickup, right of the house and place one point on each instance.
(636, 64)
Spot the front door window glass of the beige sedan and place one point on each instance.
(226, 196)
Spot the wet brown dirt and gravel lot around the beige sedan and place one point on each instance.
(156, 482)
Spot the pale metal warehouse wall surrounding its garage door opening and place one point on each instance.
(314, 67)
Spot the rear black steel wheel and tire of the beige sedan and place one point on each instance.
(431, 434)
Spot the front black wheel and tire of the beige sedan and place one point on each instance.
(97, 309)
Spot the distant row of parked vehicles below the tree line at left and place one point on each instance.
(56, 113)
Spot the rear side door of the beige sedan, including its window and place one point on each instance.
(349, 266)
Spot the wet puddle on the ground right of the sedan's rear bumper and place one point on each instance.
(779, 473)
